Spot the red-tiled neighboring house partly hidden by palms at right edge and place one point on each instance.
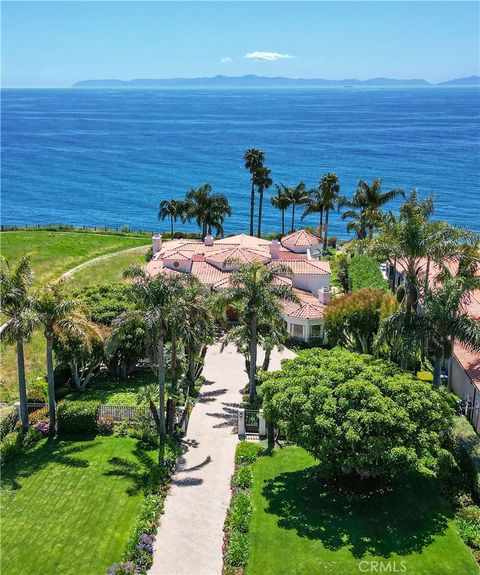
(464, 365)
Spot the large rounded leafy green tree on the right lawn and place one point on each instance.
(354, 412)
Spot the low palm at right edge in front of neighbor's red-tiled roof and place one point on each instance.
(445, 319)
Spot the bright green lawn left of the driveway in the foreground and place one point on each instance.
(69, 506)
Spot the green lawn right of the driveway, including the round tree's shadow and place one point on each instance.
(300, 527)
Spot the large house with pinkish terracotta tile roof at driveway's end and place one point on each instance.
(212, 262)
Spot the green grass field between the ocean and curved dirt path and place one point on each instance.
(53, 253)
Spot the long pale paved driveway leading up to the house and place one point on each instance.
(190, 536)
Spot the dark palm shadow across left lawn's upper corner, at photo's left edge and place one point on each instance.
(54, 450)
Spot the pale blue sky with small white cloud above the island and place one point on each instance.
(59, 43)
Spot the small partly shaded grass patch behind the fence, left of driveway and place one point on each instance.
(112, 391)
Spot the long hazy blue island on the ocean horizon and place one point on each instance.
(252, 80)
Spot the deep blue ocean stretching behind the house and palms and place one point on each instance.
(108, 157)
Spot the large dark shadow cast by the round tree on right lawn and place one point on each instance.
(402, 520)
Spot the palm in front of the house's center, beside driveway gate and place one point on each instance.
(257, 296)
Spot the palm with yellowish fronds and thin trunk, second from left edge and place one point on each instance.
(57, 312)
